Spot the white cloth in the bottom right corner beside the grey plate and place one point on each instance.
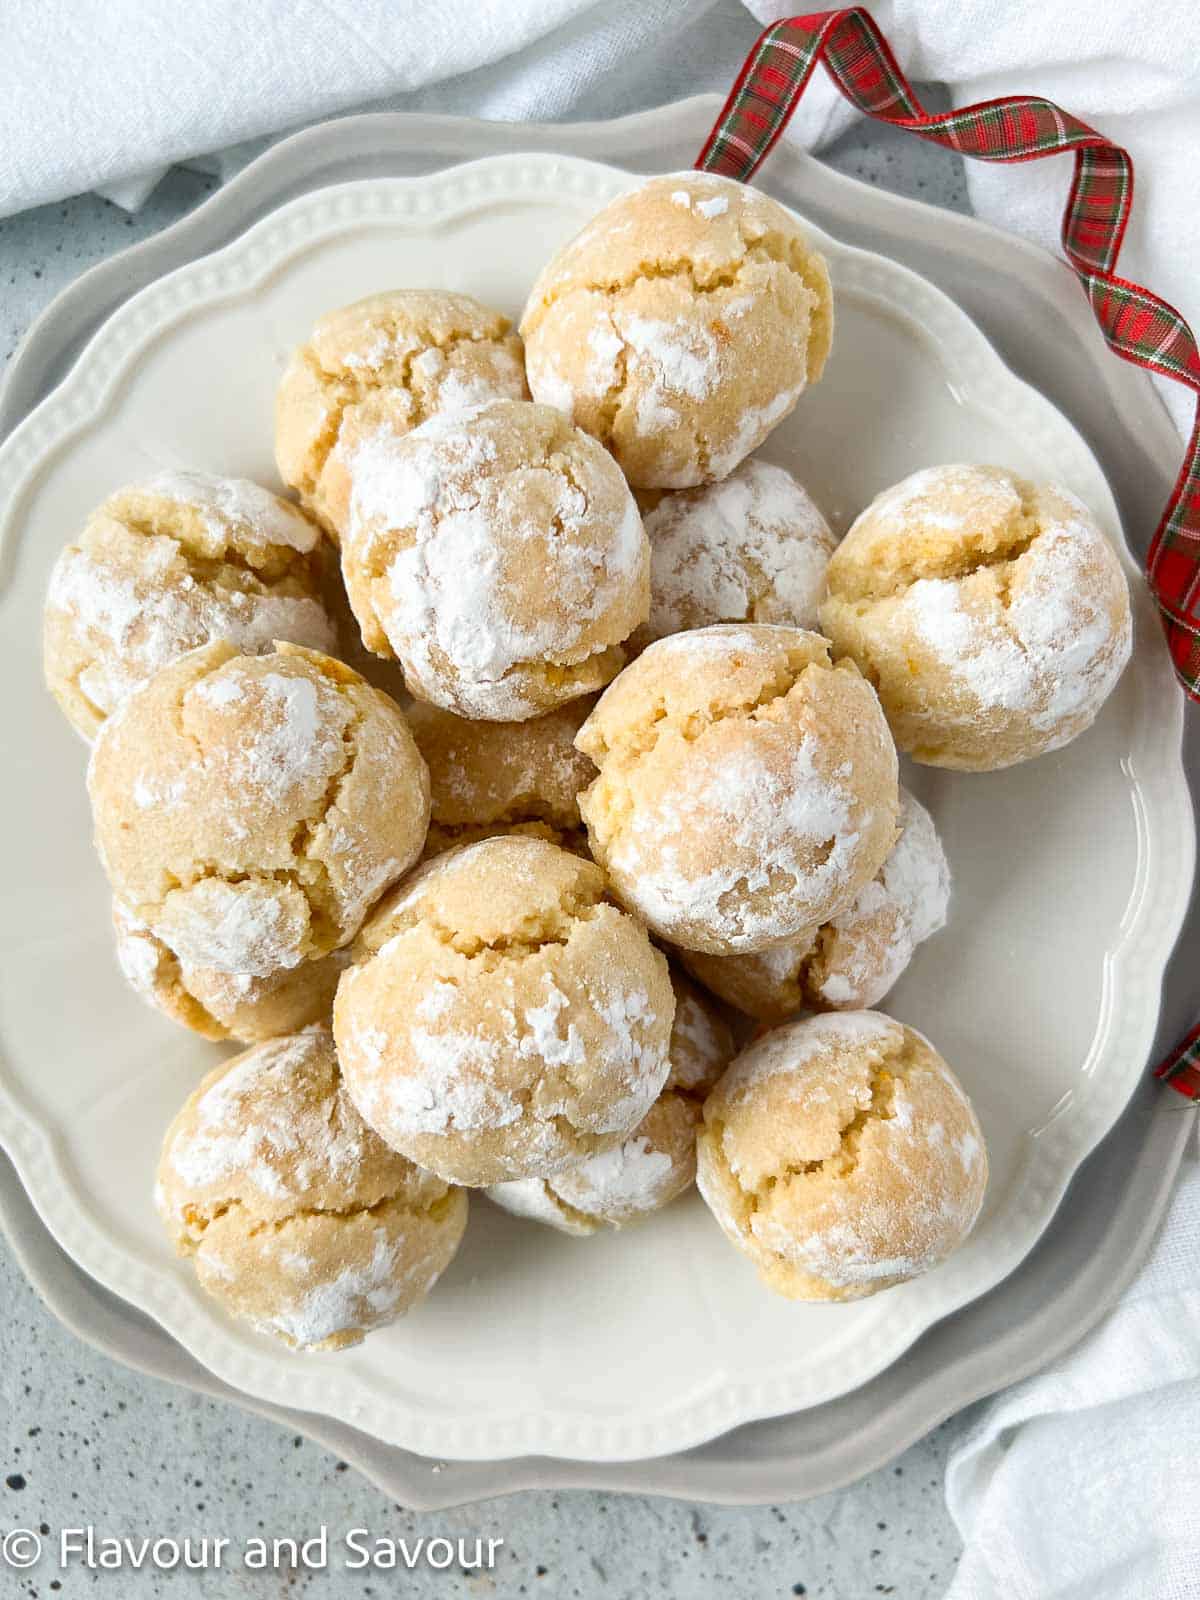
(1081, 1484)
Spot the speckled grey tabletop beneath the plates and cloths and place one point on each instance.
(87, 1442)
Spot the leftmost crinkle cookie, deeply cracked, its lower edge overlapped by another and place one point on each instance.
(172, 564)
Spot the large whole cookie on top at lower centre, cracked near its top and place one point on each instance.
(503, 1020)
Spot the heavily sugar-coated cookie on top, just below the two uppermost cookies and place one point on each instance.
(498, 556)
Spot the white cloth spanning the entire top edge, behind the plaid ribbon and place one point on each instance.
(108, 94)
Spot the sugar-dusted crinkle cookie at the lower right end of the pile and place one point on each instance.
(842, 1156)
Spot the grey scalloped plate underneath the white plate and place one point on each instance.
(1034, 314)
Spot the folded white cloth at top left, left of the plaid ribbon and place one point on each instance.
(108, 94)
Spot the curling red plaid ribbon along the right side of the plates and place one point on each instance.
(1137, 326)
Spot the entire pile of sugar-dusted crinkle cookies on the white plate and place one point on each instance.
(527, 793)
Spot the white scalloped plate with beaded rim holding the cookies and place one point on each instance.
(1073, 873)
